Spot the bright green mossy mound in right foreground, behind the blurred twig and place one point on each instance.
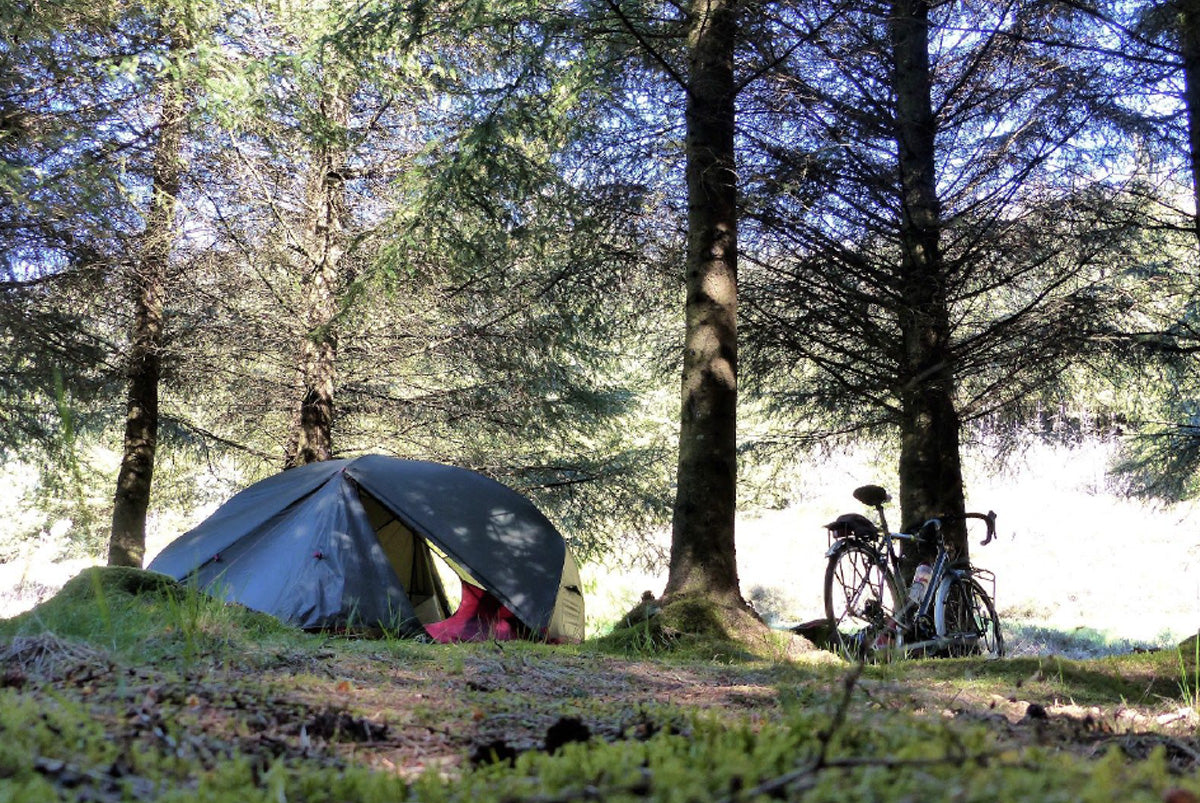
(866, 758)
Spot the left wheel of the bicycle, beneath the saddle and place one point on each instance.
(861, 600)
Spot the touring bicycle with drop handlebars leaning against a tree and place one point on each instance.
(873, 614)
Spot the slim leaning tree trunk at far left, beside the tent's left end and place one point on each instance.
(128, 542)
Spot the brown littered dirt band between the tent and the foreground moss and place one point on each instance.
(377, 709)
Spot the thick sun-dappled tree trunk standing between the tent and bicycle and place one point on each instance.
(703, 549)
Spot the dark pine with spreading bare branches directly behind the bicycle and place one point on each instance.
(933, 229)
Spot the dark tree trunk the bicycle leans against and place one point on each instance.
(931, 471)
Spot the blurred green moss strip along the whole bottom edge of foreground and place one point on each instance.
(57, 751)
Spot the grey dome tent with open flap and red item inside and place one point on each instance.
(352, 543)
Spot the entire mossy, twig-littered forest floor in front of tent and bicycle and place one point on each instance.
(121, 690)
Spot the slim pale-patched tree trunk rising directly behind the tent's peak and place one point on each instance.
(325, 245)
